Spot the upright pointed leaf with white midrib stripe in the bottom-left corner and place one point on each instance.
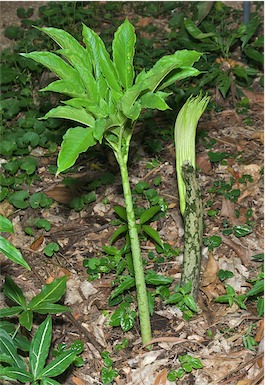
(40, 346)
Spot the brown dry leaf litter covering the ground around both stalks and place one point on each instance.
(216, 333)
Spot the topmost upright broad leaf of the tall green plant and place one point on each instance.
(123, 53)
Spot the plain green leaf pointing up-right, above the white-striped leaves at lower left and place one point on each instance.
(50, 293)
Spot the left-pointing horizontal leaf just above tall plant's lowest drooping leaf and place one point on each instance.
(67, 112)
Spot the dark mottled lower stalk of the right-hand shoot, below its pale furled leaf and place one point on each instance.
(193, 229)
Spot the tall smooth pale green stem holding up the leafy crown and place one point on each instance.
(142, 299)
